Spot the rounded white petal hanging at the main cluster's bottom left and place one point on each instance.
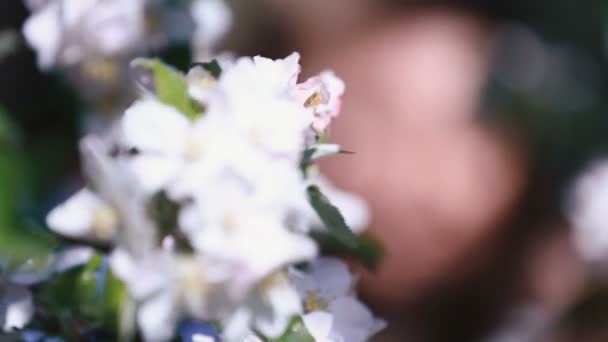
(157, 317)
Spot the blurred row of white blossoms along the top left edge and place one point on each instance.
(68, 32)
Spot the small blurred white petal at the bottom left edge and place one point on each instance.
(17, 307)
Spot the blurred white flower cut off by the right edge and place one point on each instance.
(588, 211)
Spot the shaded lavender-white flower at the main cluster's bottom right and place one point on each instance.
(331, 311)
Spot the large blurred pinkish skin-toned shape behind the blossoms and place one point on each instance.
(438, 181)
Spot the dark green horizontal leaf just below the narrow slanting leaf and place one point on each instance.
(367, 251)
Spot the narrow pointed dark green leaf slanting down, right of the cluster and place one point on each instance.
(331, 218)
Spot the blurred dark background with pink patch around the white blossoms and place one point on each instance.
(470, 121)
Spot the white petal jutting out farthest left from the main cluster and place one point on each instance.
(76, 217)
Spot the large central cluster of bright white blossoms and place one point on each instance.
(204, 203)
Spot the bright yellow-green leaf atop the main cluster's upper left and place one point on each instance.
(170, 86)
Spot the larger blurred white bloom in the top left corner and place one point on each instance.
(64, 32)
